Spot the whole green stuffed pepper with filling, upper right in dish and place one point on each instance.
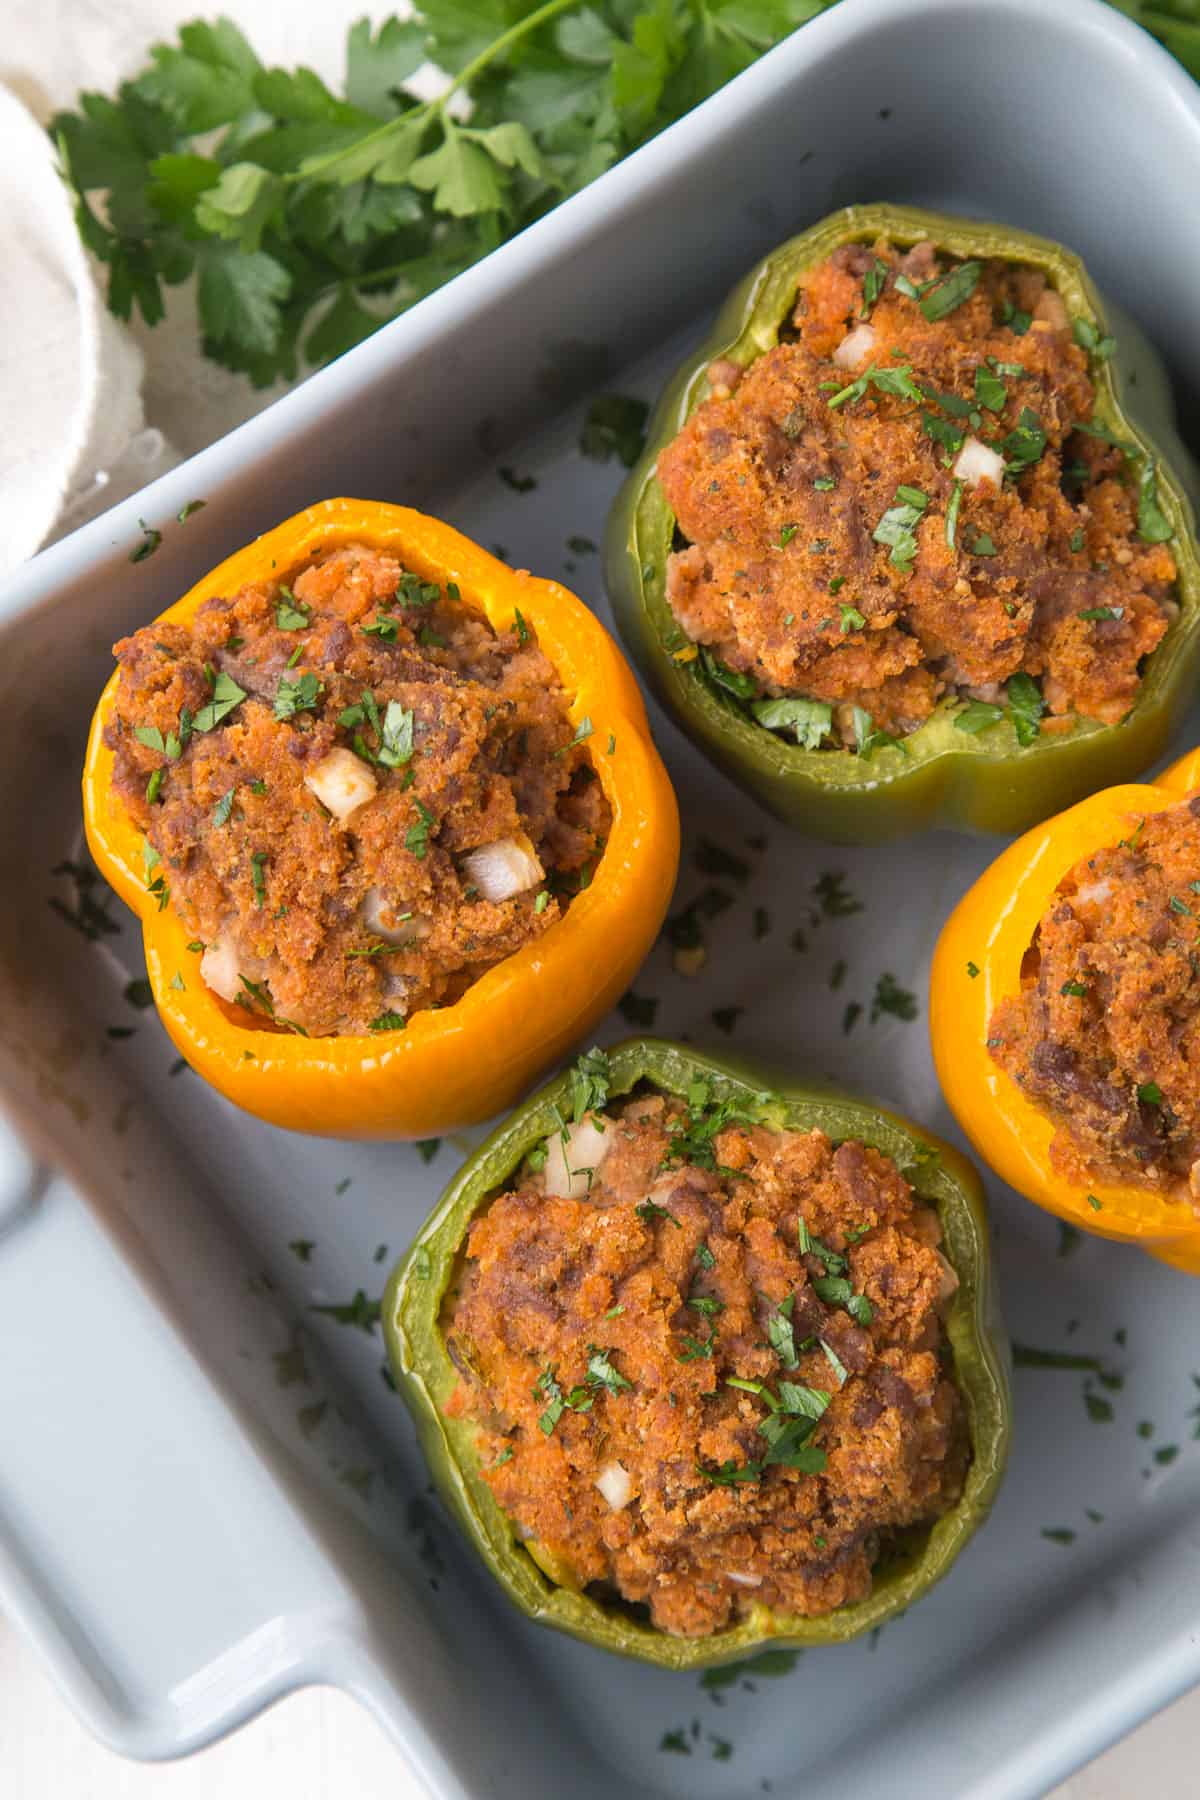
(899, 555)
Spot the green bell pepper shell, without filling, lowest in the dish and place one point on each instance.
(425, 1374)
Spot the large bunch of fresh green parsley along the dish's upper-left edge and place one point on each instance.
(310, 219)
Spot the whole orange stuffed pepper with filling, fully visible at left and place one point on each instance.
(391, 820)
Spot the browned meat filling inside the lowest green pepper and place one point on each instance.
(623, 1351)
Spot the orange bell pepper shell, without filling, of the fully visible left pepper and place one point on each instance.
(458, 1065)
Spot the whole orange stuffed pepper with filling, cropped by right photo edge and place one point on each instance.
(1066, 1014)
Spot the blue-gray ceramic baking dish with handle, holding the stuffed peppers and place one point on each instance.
(208, 1493)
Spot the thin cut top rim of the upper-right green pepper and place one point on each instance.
(643, 523)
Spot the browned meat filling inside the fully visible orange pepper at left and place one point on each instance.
(355, 793)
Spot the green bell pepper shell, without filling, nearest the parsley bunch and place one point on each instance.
(942, 777)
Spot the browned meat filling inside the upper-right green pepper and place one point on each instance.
(938, 530)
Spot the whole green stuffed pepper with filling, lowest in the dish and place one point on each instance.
(703, 1365)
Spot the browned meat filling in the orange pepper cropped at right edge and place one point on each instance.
(1106, 1034)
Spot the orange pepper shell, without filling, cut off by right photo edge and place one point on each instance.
(990, 931)
